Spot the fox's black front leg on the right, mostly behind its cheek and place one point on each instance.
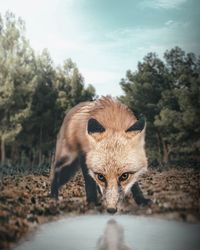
(138, 195)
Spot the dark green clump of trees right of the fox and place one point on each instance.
(167, 93)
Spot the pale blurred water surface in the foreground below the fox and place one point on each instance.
(120, 232)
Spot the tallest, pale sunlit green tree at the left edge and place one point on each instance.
(16, 78)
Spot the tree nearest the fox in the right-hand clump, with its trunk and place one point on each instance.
(143, 90)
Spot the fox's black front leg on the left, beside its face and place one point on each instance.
(90, 184)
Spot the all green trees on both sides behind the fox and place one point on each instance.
(35, 95)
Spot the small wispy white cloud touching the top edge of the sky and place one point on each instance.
(162, 4)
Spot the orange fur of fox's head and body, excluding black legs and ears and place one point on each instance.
(112, 152)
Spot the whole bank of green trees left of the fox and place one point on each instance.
(34, 96)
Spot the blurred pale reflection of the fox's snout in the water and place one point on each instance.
(112, 238)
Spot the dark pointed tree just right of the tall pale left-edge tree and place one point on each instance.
(40, 126)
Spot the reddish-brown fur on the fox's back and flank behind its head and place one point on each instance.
(113, 115)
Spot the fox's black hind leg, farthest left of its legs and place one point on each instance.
(62, 175)
